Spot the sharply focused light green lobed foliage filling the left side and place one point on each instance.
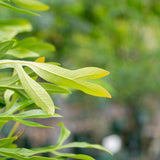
(25, 92)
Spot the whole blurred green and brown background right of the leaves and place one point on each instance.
(123, 37)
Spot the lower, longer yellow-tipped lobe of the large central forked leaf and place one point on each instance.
(61, 76)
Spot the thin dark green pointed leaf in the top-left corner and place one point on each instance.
(7, 5)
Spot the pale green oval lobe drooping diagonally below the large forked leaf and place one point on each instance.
(38, 94)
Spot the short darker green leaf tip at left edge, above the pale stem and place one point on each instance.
(5, 46)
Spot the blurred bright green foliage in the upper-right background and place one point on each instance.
(120, 35)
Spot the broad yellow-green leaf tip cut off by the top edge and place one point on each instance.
(31, 4)
